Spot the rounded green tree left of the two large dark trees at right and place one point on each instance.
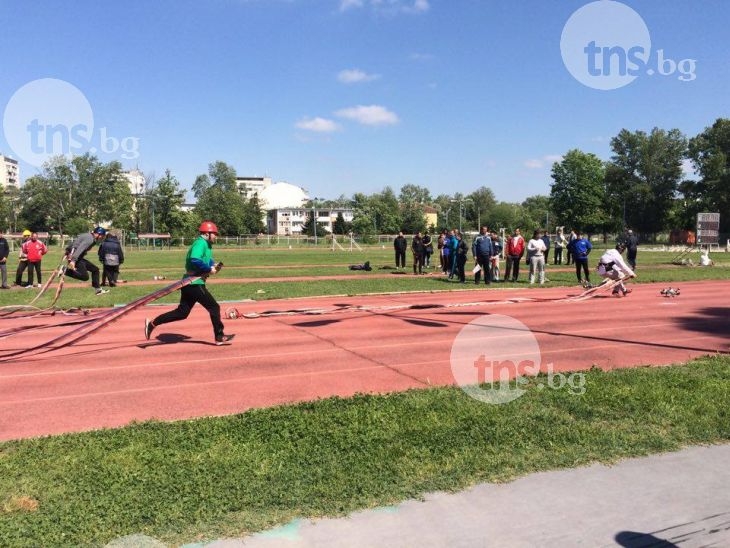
(577, 194)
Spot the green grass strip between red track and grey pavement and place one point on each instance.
(208, 478)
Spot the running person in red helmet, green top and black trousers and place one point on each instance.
(198, 262)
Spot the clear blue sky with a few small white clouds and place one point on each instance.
(345, 96)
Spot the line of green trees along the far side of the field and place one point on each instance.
(642, 186)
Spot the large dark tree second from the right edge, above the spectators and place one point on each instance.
(643, 176)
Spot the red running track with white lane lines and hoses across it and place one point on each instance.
(115, 376)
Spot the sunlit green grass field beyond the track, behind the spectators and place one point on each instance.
(254, 264)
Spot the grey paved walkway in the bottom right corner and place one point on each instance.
(675, 499)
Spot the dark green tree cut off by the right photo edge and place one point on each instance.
(710, 154)
